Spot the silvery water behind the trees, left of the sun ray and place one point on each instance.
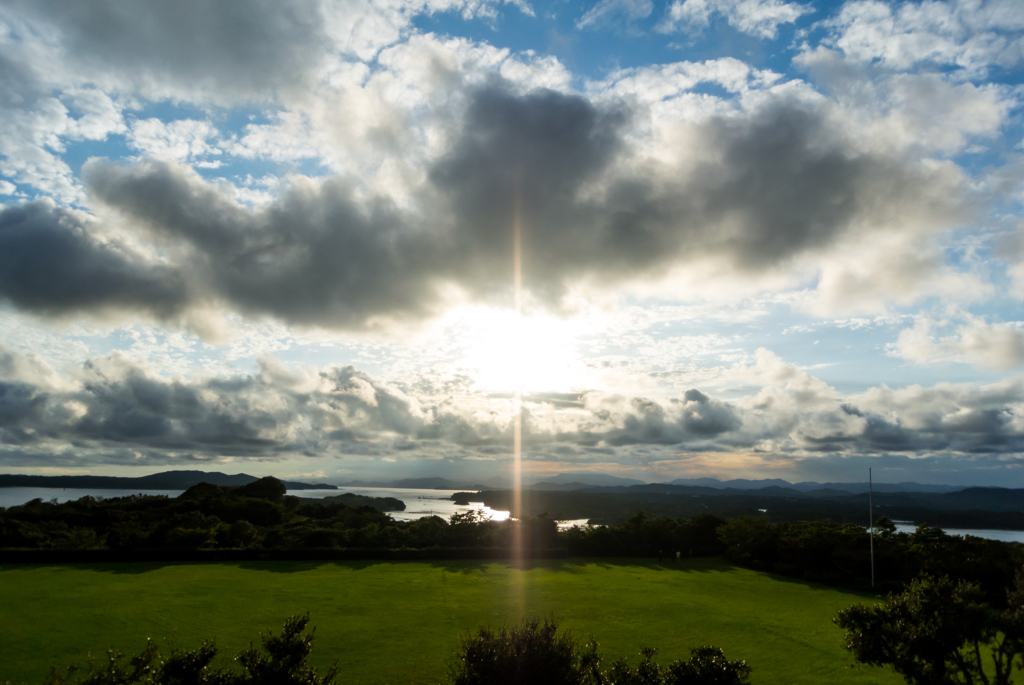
(418, 503)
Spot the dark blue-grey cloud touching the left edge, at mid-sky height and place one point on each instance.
(51, 264)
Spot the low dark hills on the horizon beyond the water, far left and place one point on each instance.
(168, 481)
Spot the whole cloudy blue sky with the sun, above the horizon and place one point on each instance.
(757, 239)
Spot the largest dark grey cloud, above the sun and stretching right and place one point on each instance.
(772, 186)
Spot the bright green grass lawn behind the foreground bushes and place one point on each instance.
(398, 623)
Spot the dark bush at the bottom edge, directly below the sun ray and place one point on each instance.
(534, 653)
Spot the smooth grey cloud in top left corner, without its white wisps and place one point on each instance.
(226, 49)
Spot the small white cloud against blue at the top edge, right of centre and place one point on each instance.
(756, 18)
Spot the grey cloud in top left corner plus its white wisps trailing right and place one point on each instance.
(231, 52)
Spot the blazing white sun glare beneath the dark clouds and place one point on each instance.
(505, 352)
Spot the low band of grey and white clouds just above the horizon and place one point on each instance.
(116, 410)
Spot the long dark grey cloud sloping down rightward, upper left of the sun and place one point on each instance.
(316, 256)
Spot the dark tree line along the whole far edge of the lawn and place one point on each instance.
(262, 517)
